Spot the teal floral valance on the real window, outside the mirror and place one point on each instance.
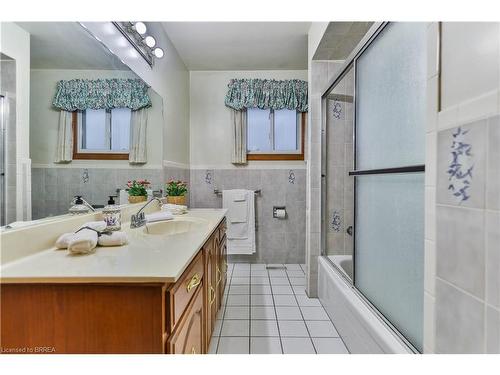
(267, 93)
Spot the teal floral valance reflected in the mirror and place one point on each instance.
(81, 94)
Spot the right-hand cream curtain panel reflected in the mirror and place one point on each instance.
(138, 142)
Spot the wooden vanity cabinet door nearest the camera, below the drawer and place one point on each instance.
(188, 337)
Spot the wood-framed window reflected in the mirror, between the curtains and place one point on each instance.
(102, 134)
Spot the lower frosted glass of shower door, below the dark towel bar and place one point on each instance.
(389, 245)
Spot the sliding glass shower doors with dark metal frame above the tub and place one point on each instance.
(373, 167)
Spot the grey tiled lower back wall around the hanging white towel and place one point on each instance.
(277, 240)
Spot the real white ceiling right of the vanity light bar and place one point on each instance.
(240, 45)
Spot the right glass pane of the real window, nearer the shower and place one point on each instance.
(285, 130)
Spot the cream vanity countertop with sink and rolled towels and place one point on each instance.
(147, 257)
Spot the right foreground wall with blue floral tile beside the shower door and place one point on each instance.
(462, 261)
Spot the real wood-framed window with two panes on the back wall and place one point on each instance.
(275, 134)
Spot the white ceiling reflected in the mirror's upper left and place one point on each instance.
(67, 45)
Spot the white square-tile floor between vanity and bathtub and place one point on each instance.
(266, 311)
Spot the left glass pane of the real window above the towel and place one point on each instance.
(259, 136)
